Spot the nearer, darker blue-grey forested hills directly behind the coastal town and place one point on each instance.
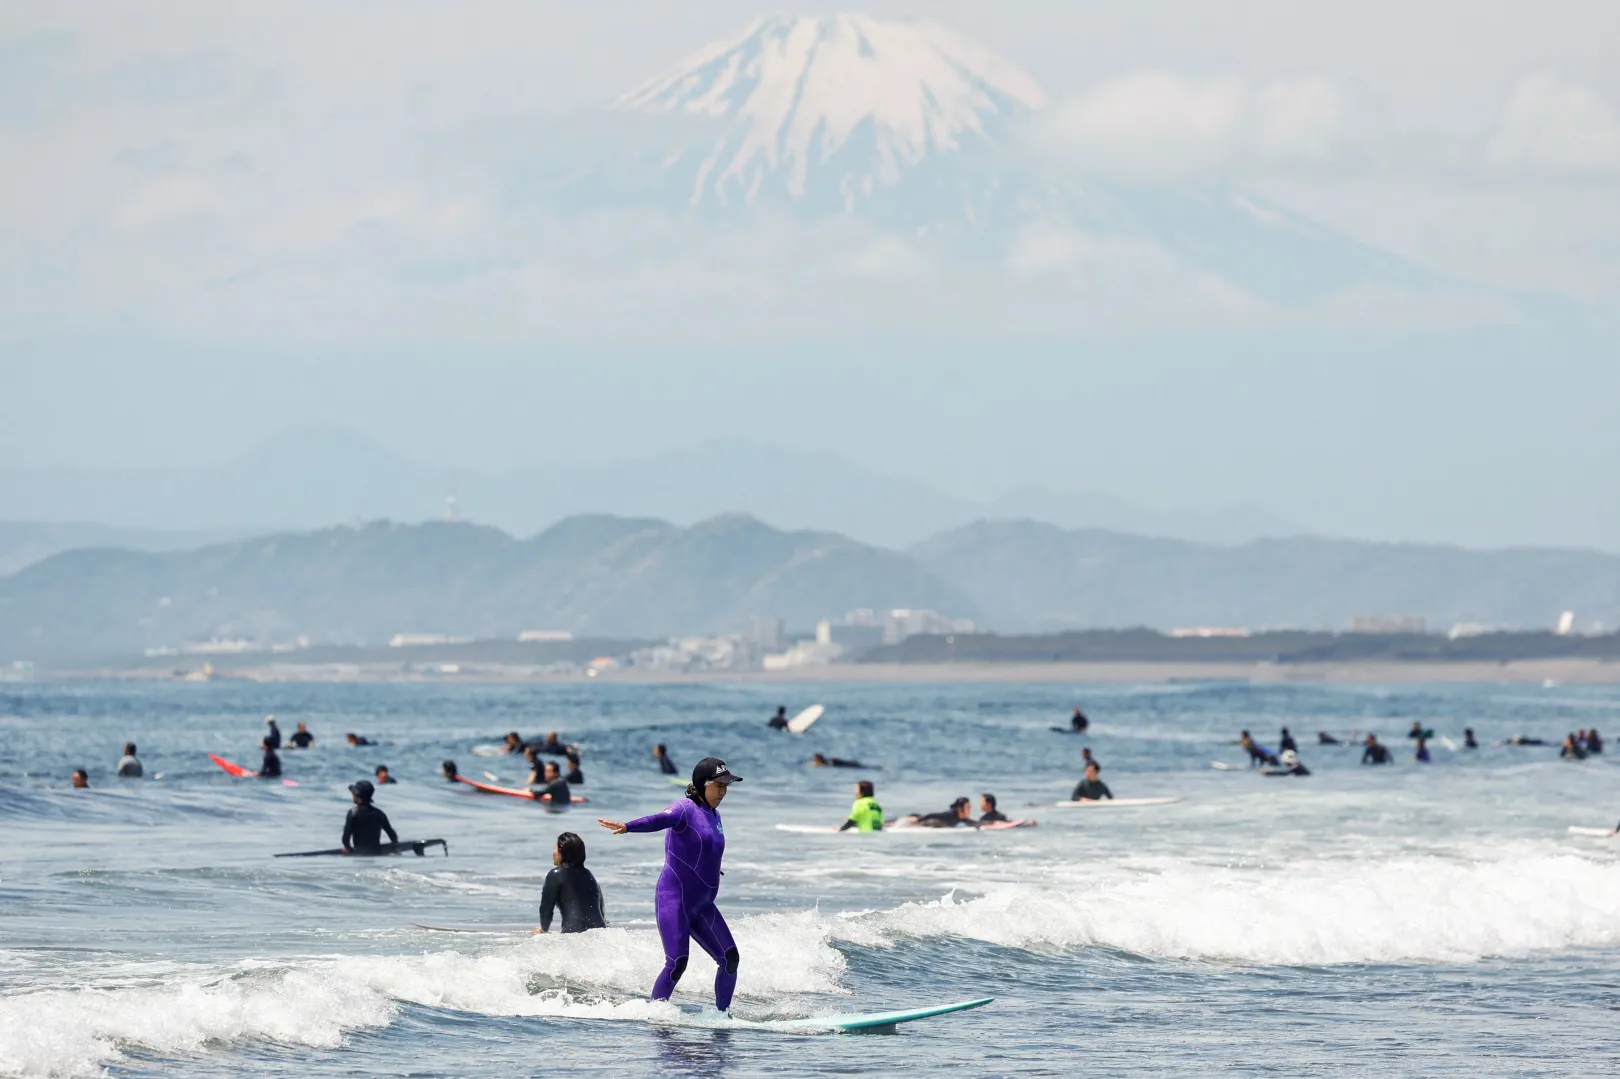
(646, 579)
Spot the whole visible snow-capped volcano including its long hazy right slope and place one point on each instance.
(914, 130)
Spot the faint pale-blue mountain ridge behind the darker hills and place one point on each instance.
(318, 477)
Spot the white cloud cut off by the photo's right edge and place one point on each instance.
(1553, 126)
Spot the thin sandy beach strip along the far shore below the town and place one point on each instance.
(1532, 672)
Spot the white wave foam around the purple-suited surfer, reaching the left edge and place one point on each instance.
(315, 1002)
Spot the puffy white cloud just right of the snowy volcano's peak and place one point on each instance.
(1159, 126)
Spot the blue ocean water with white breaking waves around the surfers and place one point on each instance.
(1407, 921)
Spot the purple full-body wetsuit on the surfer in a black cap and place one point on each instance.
(686, 897)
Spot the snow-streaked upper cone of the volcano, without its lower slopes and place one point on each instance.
(846, 96)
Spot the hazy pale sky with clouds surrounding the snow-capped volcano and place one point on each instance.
(205, 208)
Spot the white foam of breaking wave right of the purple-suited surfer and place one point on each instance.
(1405, 910)
